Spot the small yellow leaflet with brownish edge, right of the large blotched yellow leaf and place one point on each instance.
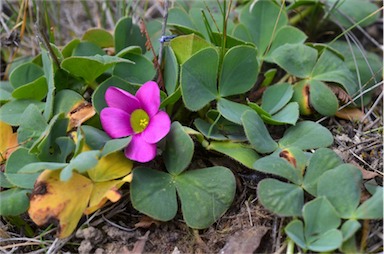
(102, 192)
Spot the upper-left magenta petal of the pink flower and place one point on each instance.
(118, 98)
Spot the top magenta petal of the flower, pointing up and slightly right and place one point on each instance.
(149, 96)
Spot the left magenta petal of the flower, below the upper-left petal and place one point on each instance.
(116, 122)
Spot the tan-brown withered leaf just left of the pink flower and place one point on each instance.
(80, 113)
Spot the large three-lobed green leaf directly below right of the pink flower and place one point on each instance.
(212, 189)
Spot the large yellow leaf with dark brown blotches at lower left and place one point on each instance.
(55, 201)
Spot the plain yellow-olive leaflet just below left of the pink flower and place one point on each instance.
(110, 167)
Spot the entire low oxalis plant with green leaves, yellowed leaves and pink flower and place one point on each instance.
(78, 123)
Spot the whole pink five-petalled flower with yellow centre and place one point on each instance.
(138, 116)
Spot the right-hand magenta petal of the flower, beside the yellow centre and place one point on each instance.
(158, 128)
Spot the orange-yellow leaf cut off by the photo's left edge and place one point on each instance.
(8, 141)
